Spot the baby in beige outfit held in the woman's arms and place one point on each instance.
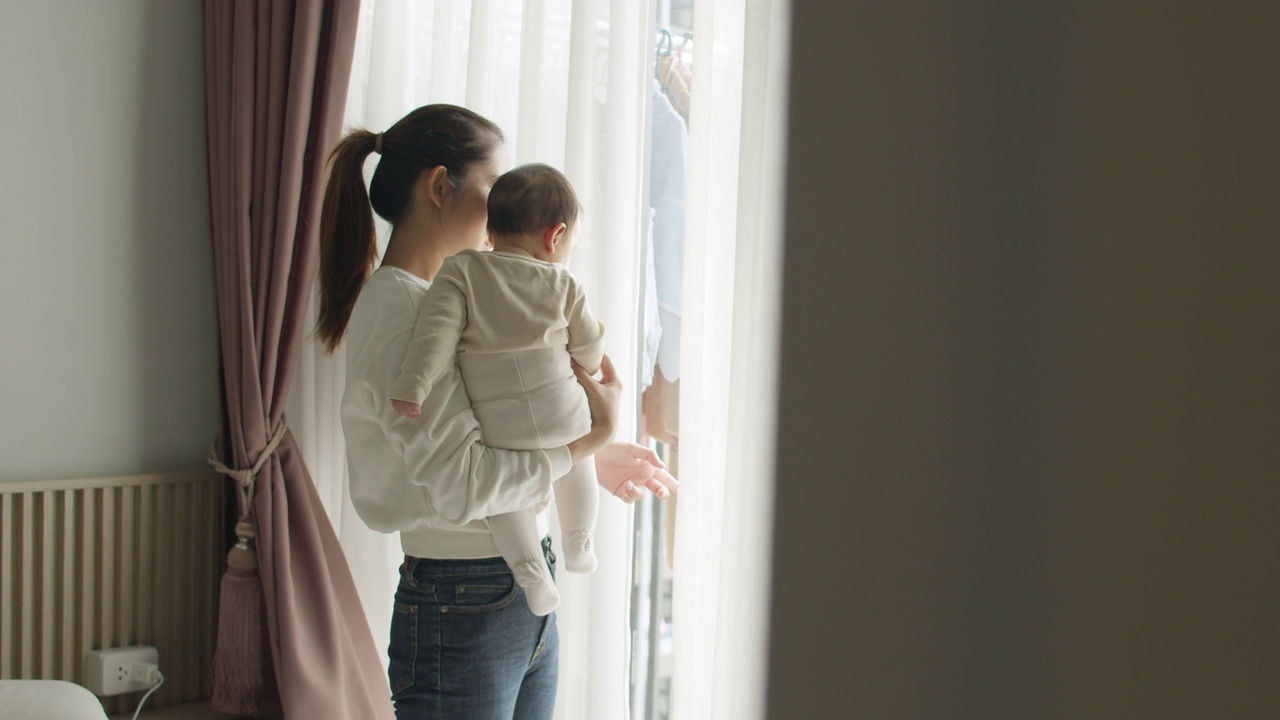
(513, 320)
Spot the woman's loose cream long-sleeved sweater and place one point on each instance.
(431, 479)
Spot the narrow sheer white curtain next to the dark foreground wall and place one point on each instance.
(729, 358)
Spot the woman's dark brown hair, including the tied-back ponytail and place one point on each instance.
(426, 139)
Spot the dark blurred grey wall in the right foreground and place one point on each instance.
(1030, 452)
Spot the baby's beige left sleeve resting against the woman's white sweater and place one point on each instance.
(441, 320)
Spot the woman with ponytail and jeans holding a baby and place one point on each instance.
(464, 641)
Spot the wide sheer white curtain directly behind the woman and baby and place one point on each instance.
(565, 80)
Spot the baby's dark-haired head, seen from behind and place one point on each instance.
(534, 209)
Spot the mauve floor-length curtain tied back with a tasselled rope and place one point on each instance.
(277, 75)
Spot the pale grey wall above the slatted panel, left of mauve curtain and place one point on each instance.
(108, 358)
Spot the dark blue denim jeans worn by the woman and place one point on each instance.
(465, 645)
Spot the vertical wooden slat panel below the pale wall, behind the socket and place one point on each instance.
(93, 564)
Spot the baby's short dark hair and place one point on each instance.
(531, 199)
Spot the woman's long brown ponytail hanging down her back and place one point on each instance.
(349, 245)
